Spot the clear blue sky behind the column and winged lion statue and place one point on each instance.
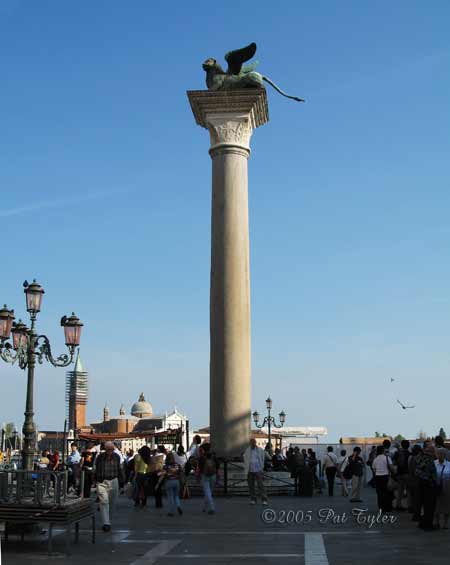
(105, 199)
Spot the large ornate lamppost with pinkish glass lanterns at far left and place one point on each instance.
(30, 346)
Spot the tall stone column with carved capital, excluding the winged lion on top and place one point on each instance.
(230, 118)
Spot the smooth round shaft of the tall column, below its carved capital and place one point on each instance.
(230, 364)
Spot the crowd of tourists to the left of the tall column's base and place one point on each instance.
(147, 473)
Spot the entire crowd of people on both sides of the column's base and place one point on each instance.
(414, 479)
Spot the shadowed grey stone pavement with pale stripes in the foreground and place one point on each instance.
(238, 534)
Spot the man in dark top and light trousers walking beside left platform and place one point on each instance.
(108, 472)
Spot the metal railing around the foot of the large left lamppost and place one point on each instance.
(39, 488)
